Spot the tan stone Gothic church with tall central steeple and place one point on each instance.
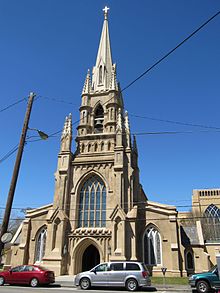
(100, 211)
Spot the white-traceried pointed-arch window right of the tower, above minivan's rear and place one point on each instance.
(152, 247)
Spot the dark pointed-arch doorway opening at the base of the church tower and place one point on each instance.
(90, 258)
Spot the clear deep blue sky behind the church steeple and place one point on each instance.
(47, 47)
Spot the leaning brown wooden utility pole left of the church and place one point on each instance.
(11, 192)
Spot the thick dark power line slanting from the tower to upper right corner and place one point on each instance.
(171, 51)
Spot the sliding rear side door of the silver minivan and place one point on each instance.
(116, 274)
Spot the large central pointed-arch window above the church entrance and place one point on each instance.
(92, 203)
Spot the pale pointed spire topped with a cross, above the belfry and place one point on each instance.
(102, 71)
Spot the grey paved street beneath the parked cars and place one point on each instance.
(58, 288)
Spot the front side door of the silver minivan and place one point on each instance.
(99, 275)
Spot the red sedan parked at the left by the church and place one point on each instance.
(27, 274)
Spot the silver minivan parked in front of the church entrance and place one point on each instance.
(130, 275)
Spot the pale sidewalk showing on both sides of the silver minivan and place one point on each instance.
(68, 281)
